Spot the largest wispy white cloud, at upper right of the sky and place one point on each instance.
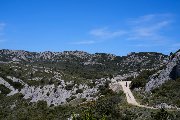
(149, 27)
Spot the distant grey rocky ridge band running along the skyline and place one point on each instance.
(118, 64)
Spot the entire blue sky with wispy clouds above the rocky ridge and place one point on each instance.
(110, 26)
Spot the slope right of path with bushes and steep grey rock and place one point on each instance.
(160, 89)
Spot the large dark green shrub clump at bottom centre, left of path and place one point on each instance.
(105, 108)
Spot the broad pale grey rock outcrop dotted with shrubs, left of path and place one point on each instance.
(57, 95)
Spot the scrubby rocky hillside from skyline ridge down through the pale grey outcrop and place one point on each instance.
(62, 77)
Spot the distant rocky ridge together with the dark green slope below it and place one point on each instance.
(84, 65)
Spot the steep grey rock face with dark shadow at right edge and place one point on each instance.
(172, 71)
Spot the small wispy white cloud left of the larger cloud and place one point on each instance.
(105, 33)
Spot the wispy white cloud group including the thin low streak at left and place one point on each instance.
(149, 28)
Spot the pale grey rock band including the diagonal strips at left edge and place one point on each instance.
(52, 94)
